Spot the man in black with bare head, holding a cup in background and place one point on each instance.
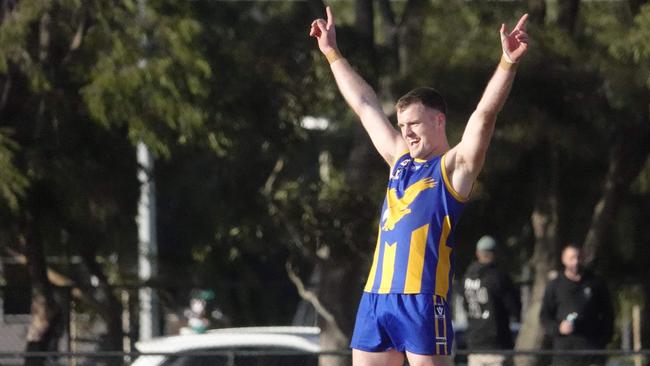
(576, 311)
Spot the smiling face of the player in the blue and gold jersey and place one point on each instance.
(421, 129)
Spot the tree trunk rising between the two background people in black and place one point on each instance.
(544, 221)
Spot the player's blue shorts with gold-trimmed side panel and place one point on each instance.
(417, 323)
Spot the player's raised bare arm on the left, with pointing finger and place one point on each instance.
(357, 93)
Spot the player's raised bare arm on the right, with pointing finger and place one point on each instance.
(465, 161)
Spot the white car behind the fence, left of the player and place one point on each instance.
(249, 346)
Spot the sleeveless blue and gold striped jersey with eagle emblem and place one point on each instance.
(415, 239)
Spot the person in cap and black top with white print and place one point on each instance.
(491, 301)
